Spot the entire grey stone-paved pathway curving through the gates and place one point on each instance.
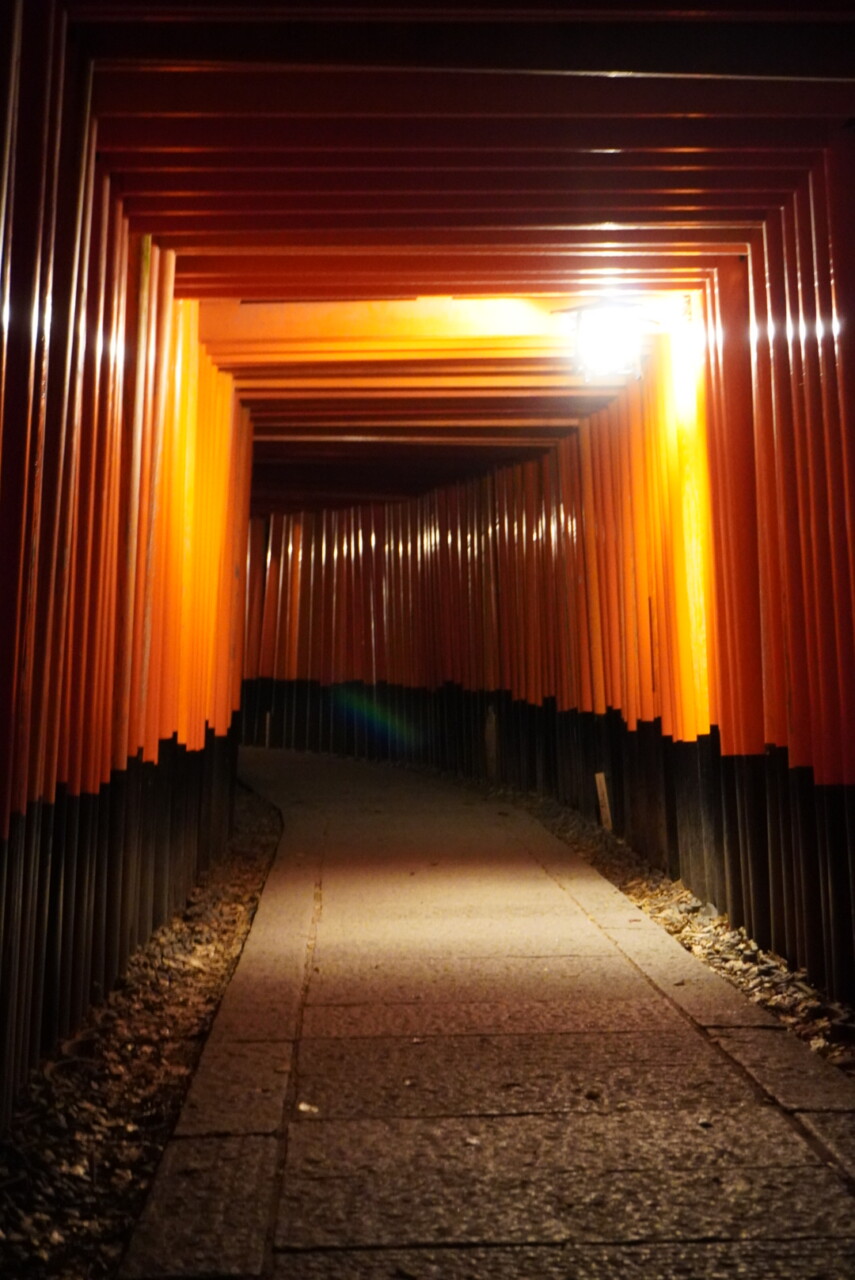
(452, 1050)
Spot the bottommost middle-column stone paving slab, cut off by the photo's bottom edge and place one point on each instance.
(780, 1260)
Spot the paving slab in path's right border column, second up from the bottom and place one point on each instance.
(797, 1080)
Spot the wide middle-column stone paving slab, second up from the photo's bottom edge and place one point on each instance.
(432, 1208)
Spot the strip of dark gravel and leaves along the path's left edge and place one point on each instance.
(90, 1128)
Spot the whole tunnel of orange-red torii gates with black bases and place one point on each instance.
(301, 442)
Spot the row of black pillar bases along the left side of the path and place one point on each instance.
(88, 879)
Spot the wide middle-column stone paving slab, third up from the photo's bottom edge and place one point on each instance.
(475, 1146)
